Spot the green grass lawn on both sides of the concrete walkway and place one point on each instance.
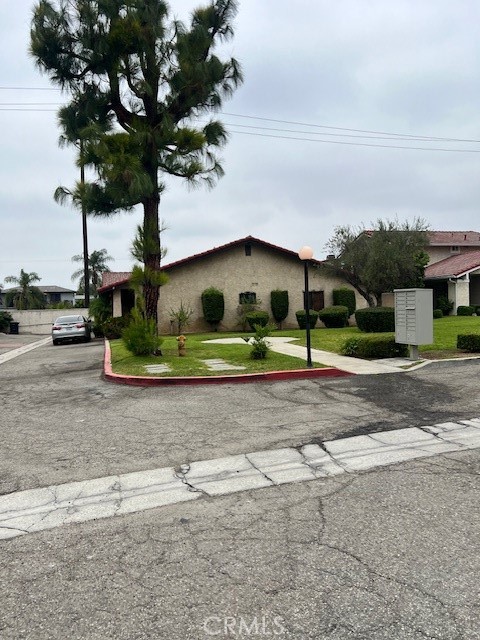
(445, 339)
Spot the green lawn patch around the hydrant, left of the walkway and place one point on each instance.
(123, 362)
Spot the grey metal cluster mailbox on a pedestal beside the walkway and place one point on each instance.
(413, 318)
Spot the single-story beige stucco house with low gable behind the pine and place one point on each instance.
(247, 269)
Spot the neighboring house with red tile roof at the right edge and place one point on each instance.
(454, 267)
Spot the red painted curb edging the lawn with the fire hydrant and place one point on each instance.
(265, 376)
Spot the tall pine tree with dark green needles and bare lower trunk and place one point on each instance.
(139, 81)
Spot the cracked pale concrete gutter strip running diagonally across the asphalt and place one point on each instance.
(45, 508)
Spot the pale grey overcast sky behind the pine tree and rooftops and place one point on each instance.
(327, 84)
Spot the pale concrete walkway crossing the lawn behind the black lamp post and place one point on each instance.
(352, 365)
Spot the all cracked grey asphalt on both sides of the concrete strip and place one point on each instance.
(393, 553)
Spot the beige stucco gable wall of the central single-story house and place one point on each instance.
(233, 272)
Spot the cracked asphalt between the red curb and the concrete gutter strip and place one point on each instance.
(61, 422)
